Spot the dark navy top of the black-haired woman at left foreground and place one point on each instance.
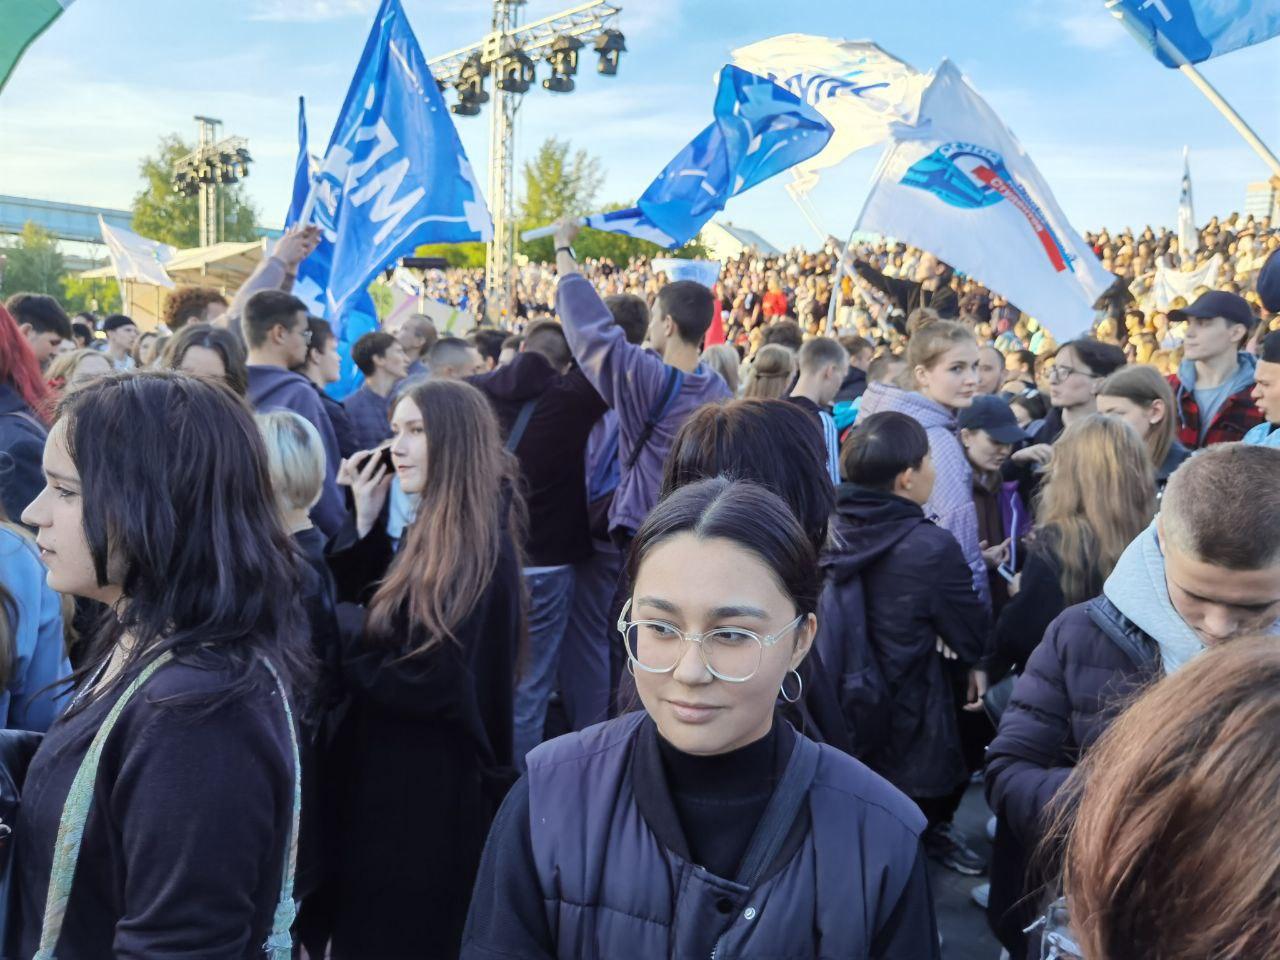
(185, 844)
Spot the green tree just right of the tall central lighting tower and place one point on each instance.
(559, 182)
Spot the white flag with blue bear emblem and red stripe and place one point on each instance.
(961, 186)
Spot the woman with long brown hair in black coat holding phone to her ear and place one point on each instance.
(424, 755)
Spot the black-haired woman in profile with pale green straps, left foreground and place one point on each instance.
(158, 505)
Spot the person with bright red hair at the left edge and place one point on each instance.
(24, 419)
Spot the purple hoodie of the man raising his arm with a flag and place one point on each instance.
(630, 380)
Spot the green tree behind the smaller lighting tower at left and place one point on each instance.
(171, 218)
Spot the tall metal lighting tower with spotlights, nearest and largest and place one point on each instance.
(506, 58)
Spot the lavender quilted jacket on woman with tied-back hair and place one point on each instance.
(953, 490)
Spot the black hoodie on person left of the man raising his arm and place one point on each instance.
(552, 452)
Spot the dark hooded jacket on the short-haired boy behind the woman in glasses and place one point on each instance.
(895, 584)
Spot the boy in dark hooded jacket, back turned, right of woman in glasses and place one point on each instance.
(900, 624)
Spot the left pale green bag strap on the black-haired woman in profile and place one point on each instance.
(71, 826)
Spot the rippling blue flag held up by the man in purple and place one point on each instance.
(760, 130)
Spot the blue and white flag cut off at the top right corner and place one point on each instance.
(1192, 31)
